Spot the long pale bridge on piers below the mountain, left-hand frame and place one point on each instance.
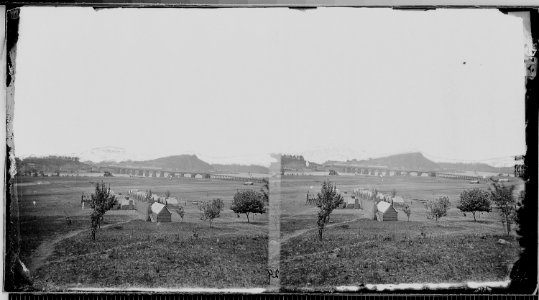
(163, 173)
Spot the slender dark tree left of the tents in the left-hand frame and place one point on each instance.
(101, 201)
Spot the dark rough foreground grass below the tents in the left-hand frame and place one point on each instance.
(142, 254)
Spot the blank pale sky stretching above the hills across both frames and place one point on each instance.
(233, 85)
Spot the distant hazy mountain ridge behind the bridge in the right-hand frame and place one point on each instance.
(417, 161)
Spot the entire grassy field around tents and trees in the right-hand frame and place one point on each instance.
(359, 250)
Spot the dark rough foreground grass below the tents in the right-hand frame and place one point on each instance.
(395, 252)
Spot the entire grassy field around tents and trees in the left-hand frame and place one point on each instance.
(135, 253)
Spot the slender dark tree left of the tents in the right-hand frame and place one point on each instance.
(327, 200)
